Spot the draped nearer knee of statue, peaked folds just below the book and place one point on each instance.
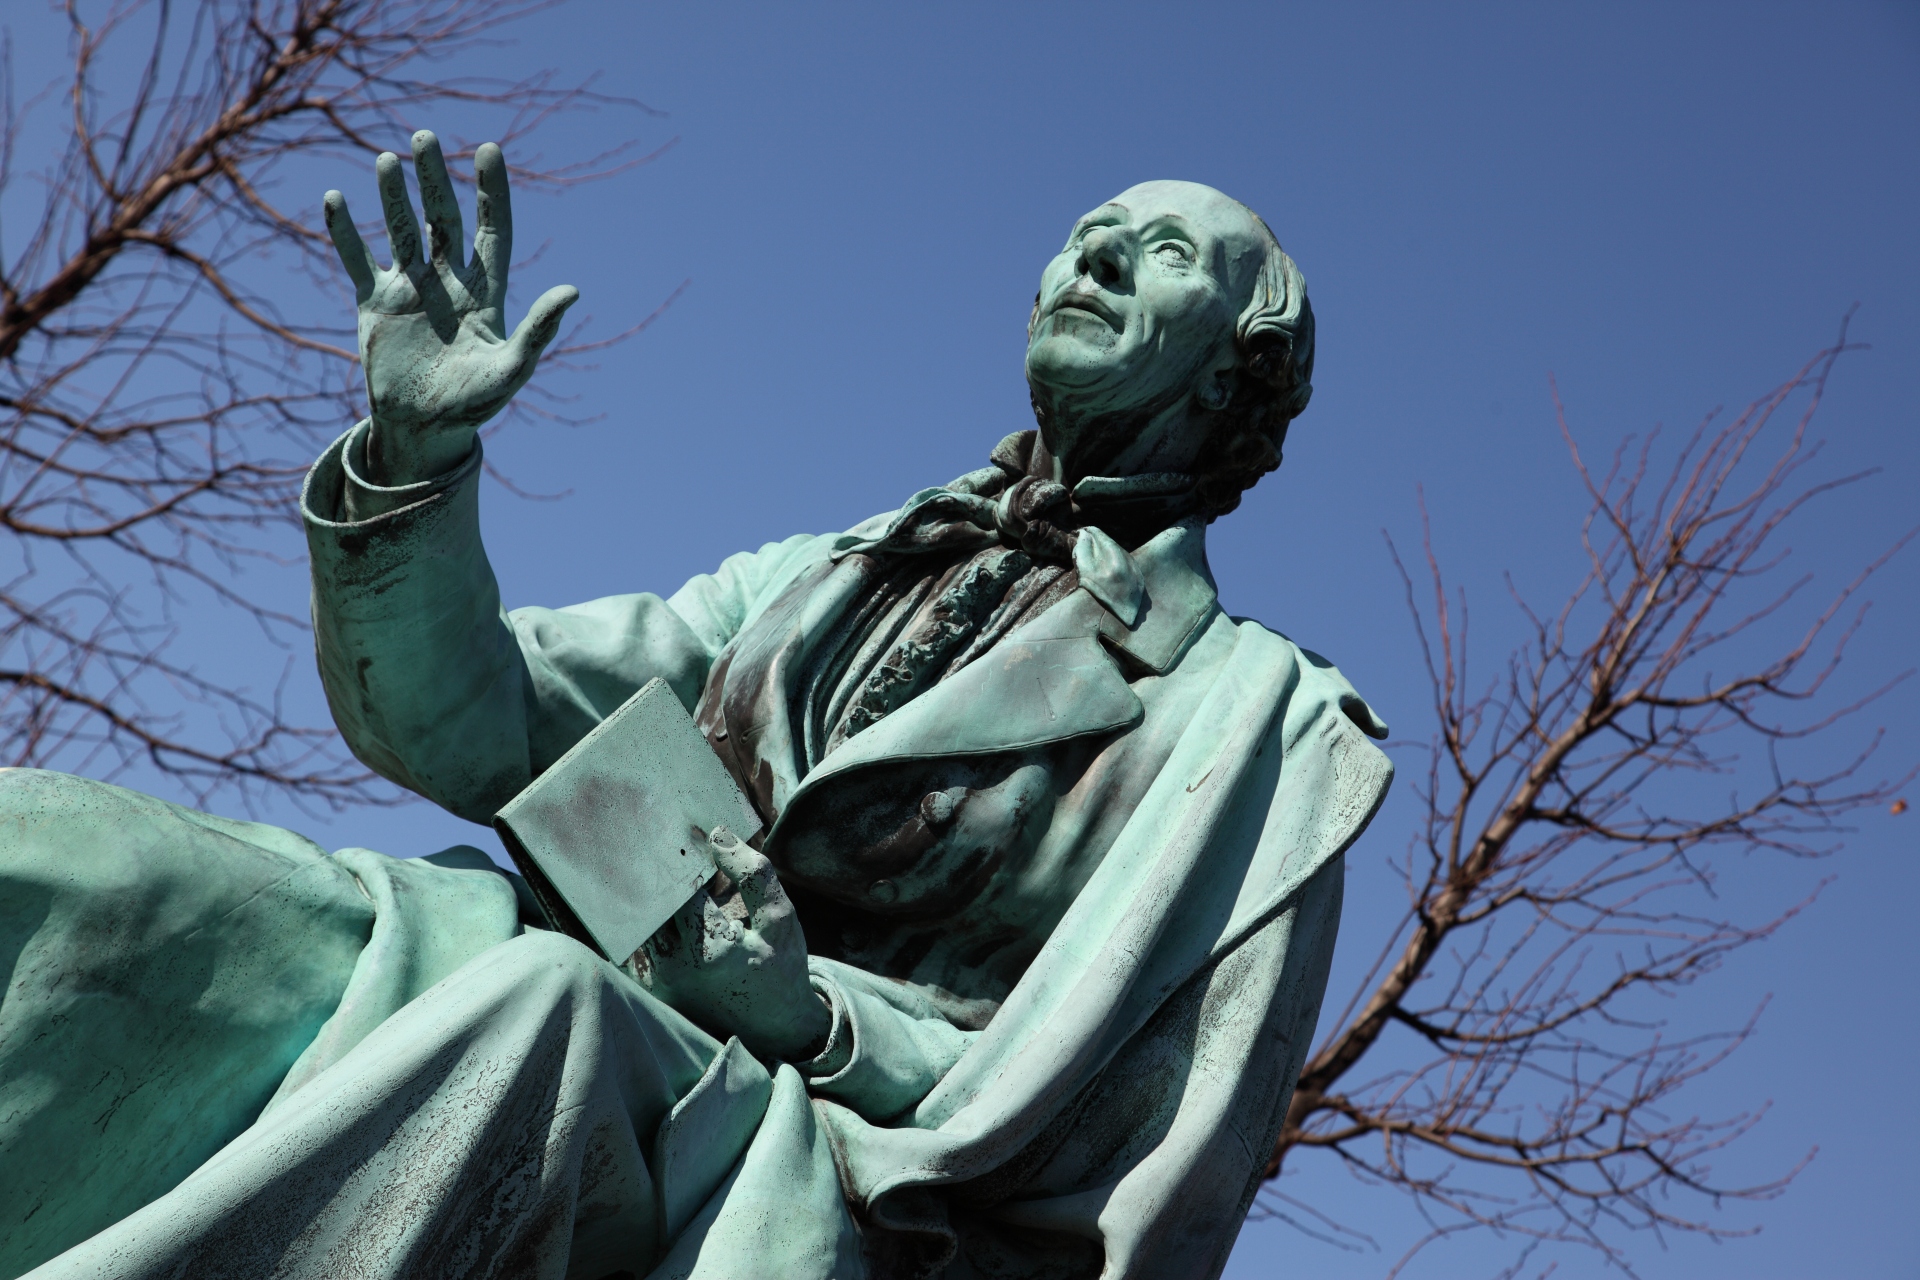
(531, 1118)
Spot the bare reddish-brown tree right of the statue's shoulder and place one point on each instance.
(1506, 1062)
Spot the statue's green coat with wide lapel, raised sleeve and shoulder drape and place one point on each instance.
(1130, 1085)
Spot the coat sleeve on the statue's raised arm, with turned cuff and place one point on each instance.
(441, 690)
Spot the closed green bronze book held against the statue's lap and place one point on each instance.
(613, 836)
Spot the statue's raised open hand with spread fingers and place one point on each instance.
(433, 337)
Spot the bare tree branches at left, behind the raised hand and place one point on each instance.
(158, 408)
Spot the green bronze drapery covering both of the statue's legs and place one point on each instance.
(226, 1053)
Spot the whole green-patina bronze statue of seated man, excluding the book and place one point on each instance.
(1015, 984)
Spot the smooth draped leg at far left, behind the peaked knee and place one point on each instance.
(172, 970)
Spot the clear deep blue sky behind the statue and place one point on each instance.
(1664, 206)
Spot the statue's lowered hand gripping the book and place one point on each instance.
(734, 960)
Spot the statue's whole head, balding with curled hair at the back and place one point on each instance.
(1172, 335)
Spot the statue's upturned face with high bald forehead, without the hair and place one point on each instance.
(1140, 310)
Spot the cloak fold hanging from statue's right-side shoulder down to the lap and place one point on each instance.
(1224, 886)
